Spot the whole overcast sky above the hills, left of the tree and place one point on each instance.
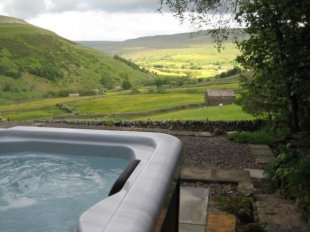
(96, 19)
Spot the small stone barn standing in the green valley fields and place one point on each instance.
(218, 97)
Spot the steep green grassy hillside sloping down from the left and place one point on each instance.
(38, 63)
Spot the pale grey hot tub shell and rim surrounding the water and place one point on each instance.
(146, 195)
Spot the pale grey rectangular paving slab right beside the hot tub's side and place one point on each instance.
(193, 205)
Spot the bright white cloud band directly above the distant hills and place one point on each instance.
(99, 25)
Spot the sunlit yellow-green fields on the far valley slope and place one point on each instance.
(197, 61)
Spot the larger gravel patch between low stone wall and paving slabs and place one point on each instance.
(216, 152)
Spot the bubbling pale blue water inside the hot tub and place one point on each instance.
(48, 192)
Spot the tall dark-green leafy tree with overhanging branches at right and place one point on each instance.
(276, 54)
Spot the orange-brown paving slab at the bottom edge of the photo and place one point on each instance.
(221, 223)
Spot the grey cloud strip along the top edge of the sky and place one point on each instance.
(32, 8)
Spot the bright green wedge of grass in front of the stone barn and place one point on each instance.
(212, 113)
